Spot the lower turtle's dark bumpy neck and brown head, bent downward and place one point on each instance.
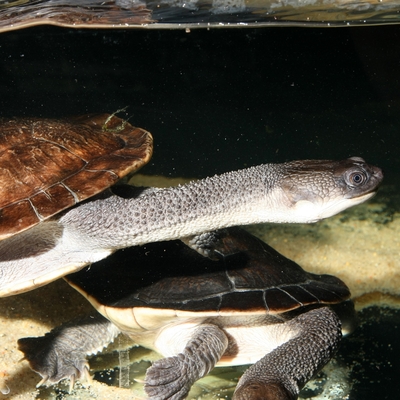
(281, 374)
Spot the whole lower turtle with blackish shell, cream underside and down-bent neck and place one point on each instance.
(253, 305)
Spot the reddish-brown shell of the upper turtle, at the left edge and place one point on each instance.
(47, 165)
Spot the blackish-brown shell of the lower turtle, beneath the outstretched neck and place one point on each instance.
(251, 278)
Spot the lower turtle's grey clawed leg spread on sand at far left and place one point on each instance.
(62, 352)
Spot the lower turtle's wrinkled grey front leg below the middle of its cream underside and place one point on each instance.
(171, 378)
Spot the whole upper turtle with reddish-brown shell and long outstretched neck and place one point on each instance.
(297, 191)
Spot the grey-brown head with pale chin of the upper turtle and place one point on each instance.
(318, 189)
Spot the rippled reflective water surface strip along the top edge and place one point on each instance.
(181, 14)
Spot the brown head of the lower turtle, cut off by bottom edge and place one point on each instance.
(262, 391)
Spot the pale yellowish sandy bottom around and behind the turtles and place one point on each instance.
(361, 246)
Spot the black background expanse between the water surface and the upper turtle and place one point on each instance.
(220, 99)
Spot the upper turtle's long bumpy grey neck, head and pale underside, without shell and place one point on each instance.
(297, 191)
